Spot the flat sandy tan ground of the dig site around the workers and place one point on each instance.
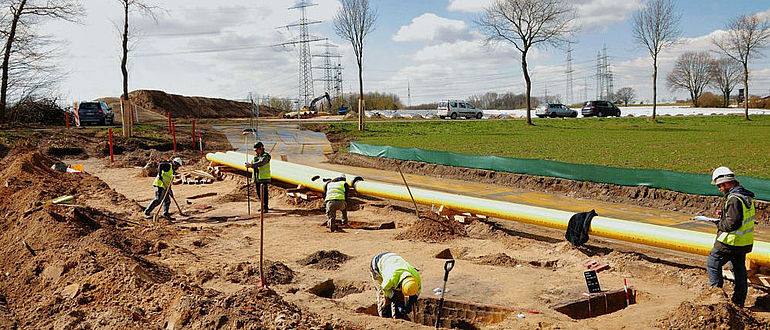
(208, 246)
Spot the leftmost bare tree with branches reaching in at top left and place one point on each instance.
(23, 15)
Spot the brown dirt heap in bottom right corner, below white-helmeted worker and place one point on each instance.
(711, 310)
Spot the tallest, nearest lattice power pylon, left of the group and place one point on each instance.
(306, 91)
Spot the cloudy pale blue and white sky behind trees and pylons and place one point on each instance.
(227, 49)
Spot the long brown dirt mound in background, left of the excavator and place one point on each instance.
(190, 106)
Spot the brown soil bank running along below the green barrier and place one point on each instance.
(638, 195)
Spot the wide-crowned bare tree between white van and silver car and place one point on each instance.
(528, 23)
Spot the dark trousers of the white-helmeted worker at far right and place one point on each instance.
(718, 258)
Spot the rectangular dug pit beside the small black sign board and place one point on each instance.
(597, 304)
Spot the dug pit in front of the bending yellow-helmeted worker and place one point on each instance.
(455, 314)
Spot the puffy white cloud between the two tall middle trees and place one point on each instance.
(430, 27)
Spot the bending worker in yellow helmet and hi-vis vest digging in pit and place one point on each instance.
(395, 279)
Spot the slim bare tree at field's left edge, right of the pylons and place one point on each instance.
(353, 22)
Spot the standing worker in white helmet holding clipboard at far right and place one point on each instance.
(735, 235)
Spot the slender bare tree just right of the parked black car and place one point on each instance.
(656, 27)
